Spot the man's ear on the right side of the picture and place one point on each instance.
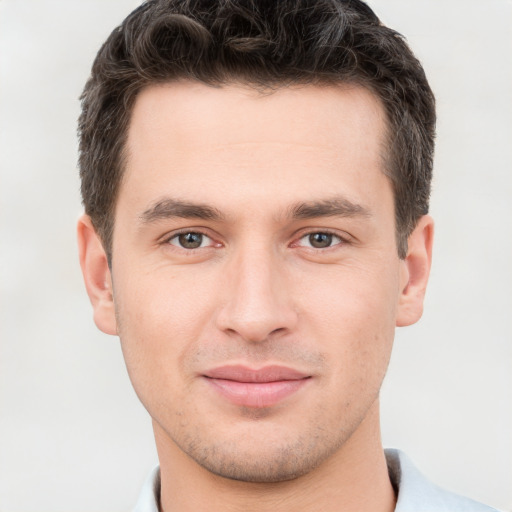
(415, 272)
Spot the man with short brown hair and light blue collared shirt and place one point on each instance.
(256, 178)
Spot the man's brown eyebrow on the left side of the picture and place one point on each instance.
(170, 208)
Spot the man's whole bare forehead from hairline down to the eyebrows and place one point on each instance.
(198, 142)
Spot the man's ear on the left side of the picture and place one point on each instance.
(97, 277)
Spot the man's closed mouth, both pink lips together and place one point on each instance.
(256, 388)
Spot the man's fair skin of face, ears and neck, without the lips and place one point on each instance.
(257, 176)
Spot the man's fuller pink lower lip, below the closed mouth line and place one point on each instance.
(257, 394)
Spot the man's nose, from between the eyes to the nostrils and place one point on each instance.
(258, 302)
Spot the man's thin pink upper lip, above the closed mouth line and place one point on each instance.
(240, 373)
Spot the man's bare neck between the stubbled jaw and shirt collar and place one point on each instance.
(355, 478)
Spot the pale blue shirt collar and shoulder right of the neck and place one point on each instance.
(417, 493)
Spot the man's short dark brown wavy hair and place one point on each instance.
(267, 44)
